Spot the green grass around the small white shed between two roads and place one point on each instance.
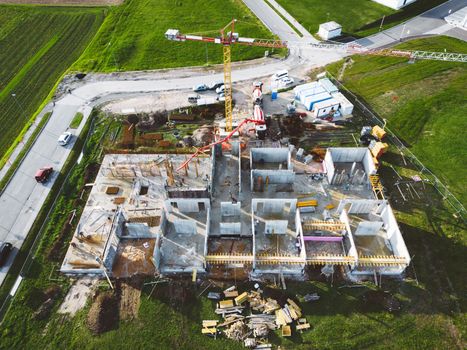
(357, 17)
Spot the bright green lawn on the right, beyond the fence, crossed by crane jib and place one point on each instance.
(424, 103)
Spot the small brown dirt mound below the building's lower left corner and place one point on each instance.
(103, 314)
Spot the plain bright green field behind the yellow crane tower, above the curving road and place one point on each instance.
(132, 36)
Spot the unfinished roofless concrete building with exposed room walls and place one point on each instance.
(263, 207)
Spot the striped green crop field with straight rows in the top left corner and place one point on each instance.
(37, 44)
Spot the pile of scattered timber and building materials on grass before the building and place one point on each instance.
(265, 315)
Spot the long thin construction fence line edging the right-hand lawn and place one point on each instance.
(425, 173)
